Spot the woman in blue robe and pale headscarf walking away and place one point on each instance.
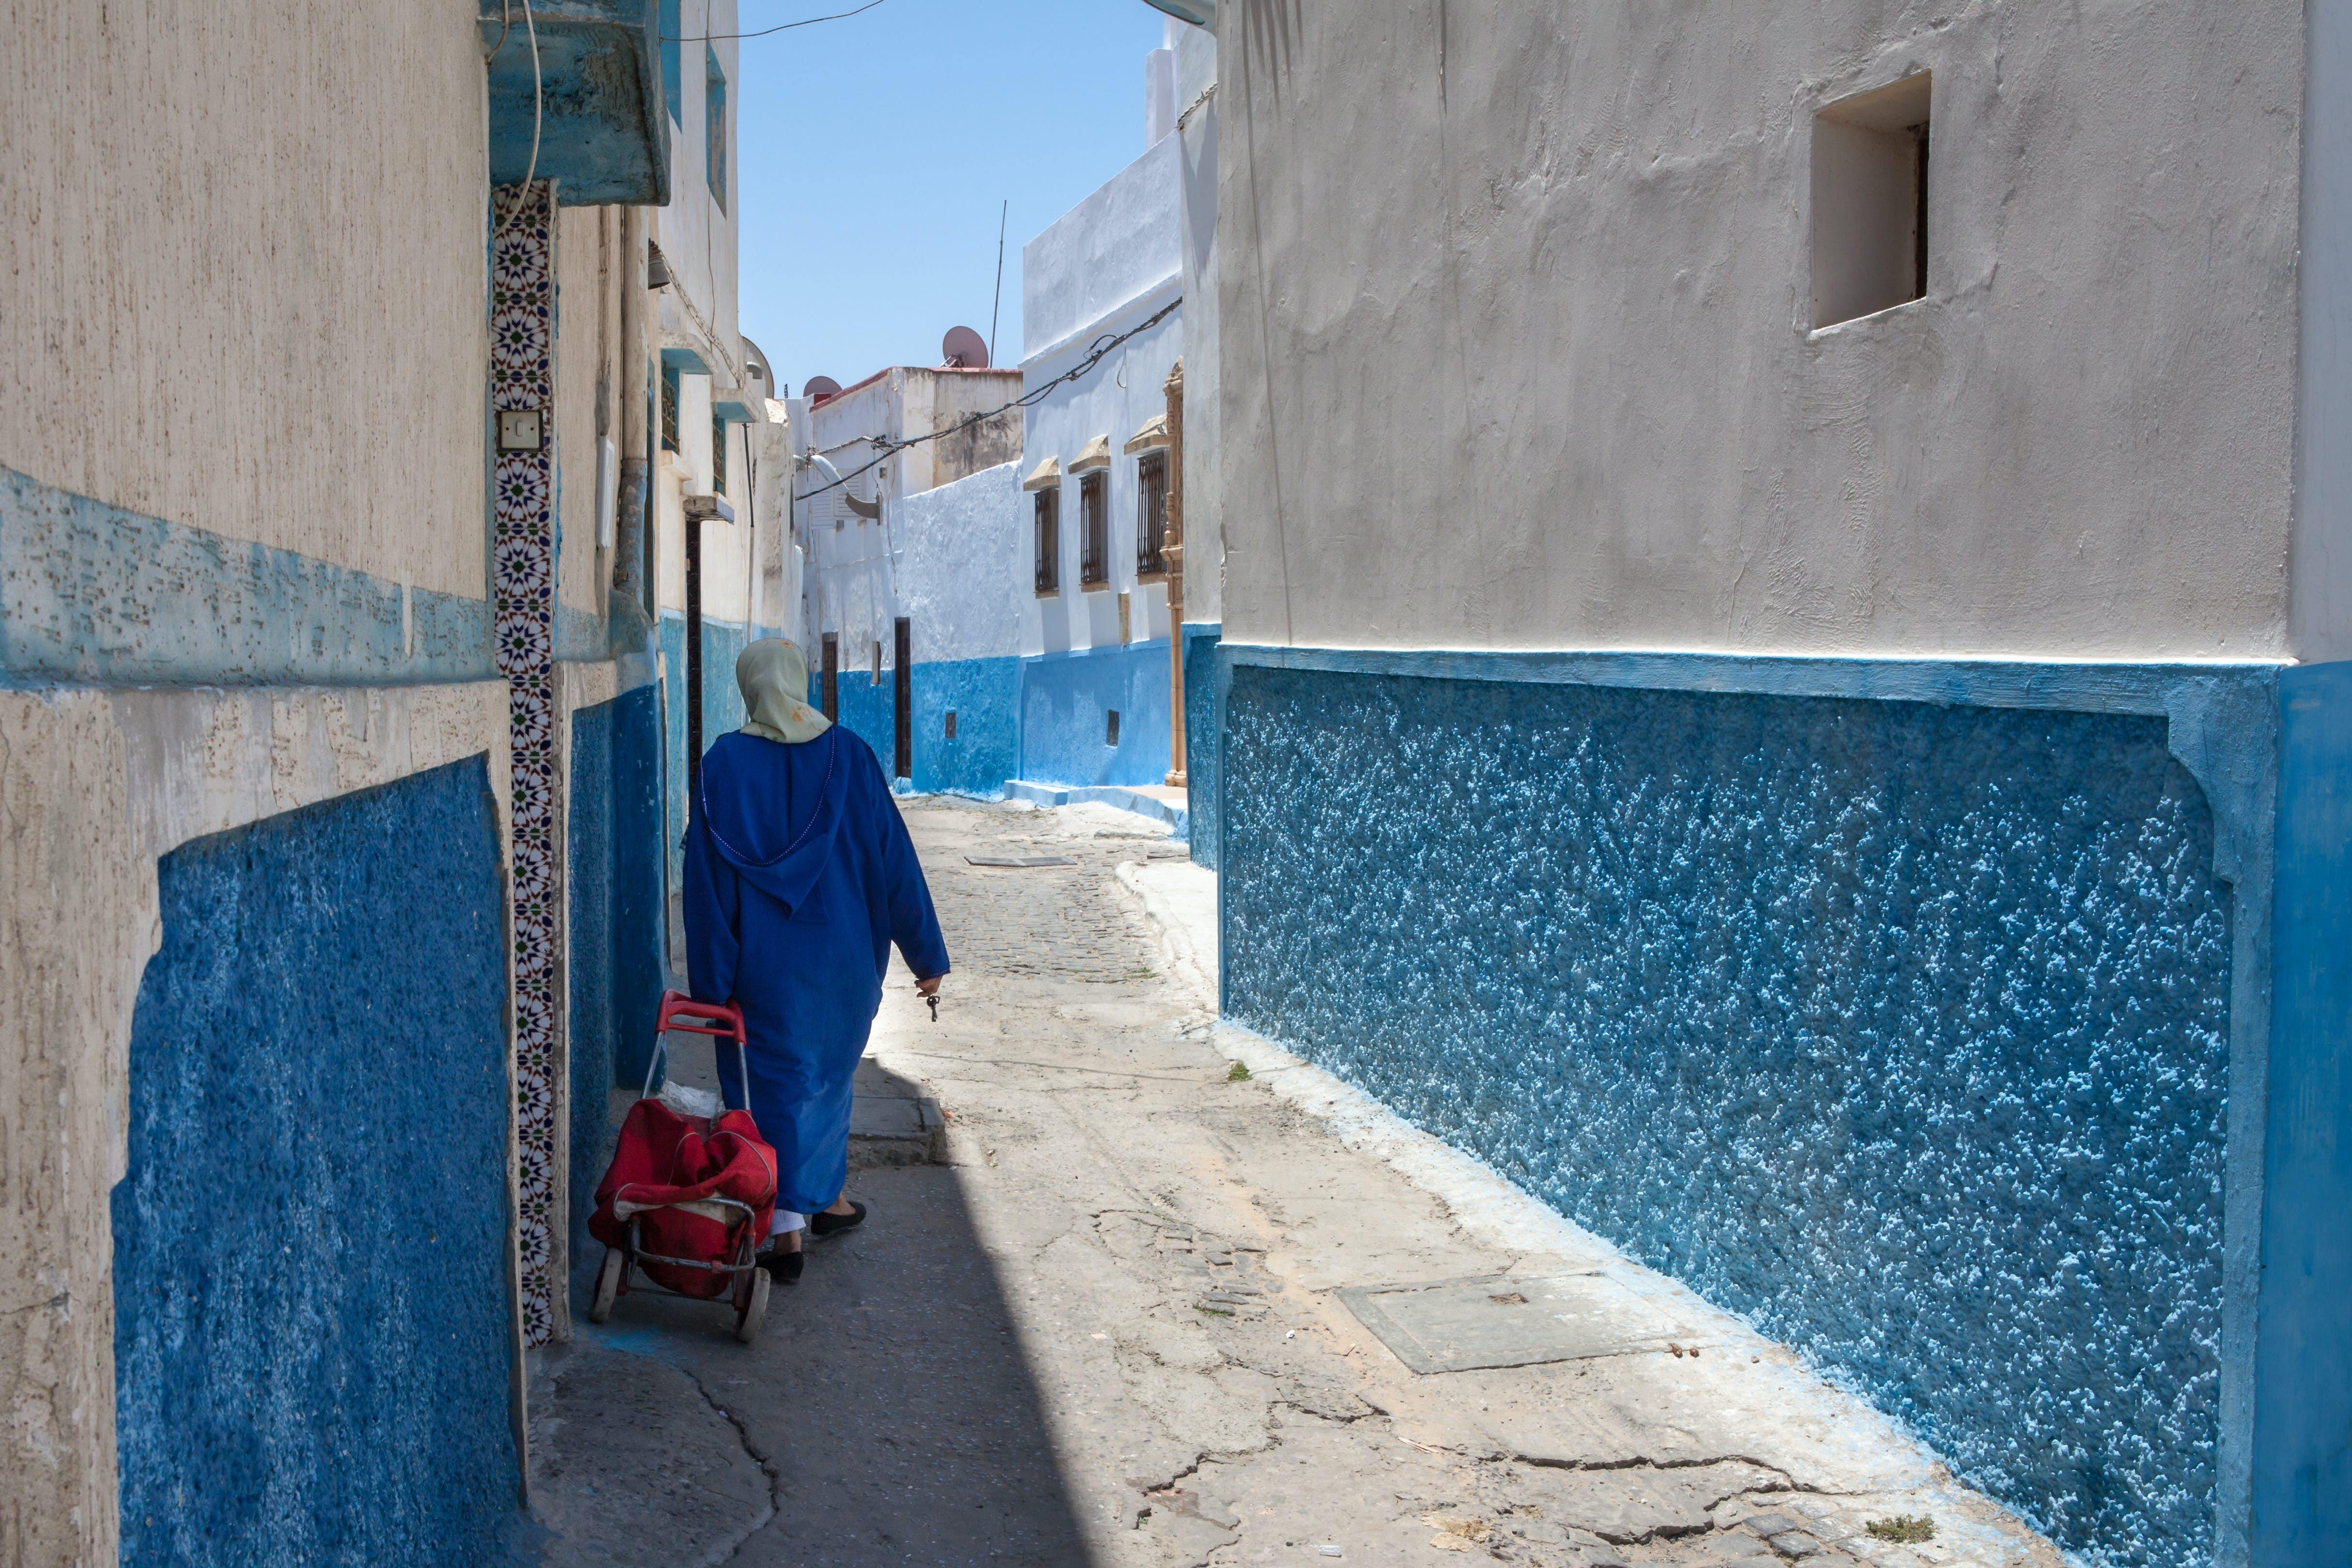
(799, 880)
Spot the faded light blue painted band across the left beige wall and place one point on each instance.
(100, 596)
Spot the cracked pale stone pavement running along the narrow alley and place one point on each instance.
(1107, 1332)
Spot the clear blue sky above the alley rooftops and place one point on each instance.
(876, 152)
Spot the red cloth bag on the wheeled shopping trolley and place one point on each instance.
(667, 1170)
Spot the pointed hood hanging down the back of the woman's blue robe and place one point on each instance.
(775, 810)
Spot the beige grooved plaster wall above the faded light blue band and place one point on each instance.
(246, 264)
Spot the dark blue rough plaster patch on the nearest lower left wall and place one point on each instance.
(312, 1242)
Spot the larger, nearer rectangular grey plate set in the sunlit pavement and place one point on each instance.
(1502, 1320)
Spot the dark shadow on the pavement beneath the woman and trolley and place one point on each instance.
(886, 1414)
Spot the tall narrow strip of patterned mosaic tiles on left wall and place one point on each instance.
(523, 594)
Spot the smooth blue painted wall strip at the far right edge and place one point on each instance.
(2304, 1355)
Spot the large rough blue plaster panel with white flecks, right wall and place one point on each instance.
(1902, 1028)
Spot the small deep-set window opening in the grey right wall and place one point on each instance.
(1871, 187)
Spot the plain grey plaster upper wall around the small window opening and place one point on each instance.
(1516, 333)
